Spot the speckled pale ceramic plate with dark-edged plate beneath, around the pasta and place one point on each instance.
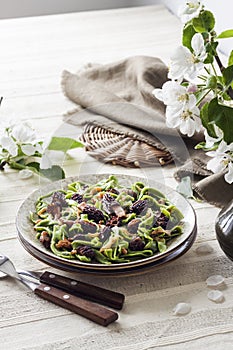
(27, 235)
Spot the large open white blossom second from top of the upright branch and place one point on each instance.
(186, 64)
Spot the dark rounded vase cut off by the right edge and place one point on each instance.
(224, 230)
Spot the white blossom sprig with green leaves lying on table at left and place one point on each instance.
(19, 145)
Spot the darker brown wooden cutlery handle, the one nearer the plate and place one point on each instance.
(84, 290)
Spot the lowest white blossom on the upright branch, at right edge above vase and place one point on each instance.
(222, 159)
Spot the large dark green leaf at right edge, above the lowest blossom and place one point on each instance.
(222, 116)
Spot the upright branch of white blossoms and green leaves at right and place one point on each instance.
(185, 107)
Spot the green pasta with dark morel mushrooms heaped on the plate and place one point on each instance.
(106, 222)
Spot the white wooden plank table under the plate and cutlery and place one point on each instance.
(34, 51)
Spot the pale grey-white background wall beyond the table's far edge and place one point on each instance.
(223, 9)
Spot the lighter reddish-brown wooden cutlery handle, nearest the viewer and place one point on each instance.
(93, 312)
